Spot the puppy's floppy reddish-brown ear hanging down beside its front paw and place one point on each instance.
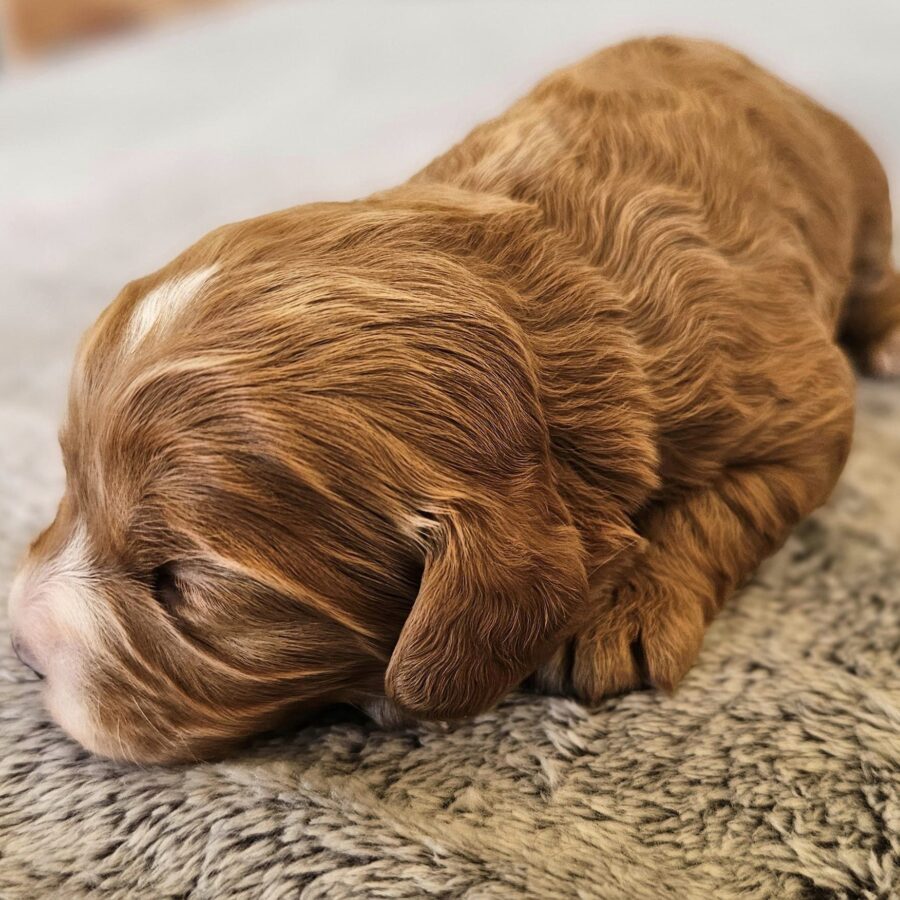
(503, 584)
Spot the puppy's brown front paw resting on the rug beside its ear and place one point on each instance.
(648, 638)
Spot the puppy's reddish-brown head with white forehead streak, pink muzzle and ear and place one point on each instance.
(298, 473)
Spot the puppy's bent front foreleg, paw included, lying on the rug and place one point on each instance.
(700, 548)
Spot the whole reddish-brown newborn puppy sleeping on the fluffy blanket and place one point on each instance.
(534, 414)
